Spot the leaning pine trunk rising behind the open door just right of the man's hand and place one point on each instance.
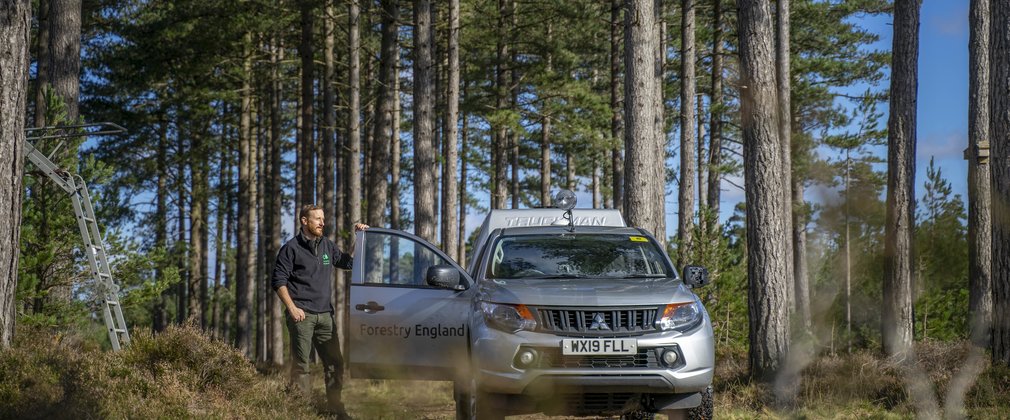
(379, 150)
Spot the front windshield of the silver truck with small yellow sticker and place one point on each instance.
(577, 256)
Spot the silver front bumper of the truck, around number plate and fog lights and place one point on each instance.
(494, 353)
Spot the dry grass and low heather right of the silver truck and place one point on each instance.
(862, 385)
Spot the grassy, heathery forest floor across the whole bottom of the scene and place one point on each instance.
(183, 374)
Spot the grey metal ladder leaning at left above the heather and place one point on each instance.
(94, 246)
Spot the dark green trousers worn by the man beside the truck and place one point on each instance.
(320, 332)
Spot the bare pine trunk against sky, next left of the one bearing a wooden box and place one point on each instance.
(899, 274)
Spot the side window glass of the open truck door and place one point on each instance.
(392, 260)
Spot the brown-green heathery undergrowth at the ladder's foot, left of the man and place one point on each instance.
(178, 374)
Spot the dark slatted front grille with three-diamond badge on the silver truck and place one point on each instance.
(591, 323)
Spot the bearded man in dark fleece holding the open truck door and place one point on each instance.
(304, 279)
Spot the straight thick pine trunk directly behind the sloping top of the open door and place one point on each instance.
(425, 98)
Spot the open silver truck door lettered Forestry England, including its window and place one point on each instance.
(405, 321)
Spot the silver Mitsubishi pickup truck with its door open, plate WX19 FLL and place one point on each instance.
(561, 312)
